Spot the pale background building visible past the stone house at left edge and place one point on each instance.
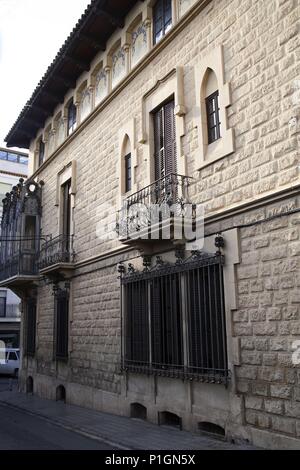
(13, 166)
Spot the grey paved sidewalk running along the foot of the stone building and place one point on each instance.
(120, 432)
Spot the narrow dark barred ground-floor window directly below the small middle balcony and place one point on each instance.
(61, 324)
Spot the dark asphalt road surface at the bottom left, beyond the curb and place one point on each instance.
(20, 431)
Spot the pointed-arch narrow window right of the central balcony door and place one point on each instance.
(212, 107)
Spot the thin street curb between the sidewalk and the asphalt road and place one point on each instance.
(77, 430)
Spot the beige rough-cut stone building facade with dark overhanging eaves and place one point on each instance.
(247, 180)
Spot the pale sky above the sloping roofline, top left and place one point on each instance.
(31, 33)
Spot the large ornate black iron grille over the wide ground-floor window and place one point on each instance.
(174, 319)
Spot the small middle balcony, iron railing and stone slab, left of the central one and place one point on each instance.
(57, 256)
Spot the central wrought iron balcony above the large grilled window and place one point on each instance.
(158, 205)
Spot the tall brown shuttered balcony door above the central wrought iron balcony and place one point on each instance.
(165, 154)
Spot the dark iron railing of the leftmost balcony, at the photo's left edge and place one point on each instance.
(19, 264)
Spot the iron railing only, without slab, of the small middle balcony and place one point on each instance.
(57, 250)
